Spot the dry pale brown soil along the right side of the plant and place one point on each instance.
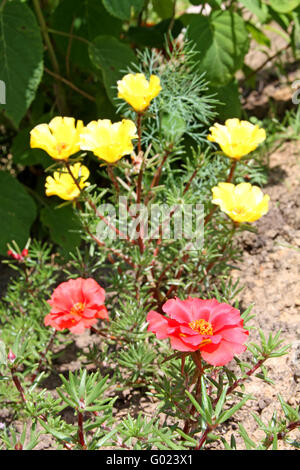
(270, 272)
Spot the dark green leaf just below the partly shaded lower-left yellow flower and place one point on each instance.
(63, 226)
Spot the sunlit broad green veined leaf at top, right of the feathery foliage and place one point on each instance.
(222, 42)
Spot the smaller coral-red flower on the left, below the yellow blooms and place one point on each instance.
(76, 304)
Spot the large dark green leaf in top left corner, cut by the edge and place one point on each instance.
(21, 58)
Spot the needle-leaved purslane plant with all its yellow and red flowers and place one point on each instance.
(173, 286)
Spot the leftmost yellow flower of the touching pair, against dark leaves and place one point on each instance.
(59, 138)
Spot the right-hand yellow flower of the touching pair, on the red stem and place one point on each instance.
(108, 141)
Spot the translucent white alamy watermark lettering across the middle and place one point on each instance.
(157, 222)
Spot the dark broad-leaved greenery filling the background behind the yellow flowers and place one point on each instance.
(79, 49)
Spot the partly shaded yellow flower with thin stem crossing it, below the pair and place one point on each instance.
(63, 185)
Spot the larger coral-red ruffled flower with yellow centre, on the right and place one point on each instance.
(216, 329)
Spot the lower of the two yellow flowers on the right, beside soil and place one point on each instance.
(242, 203)
